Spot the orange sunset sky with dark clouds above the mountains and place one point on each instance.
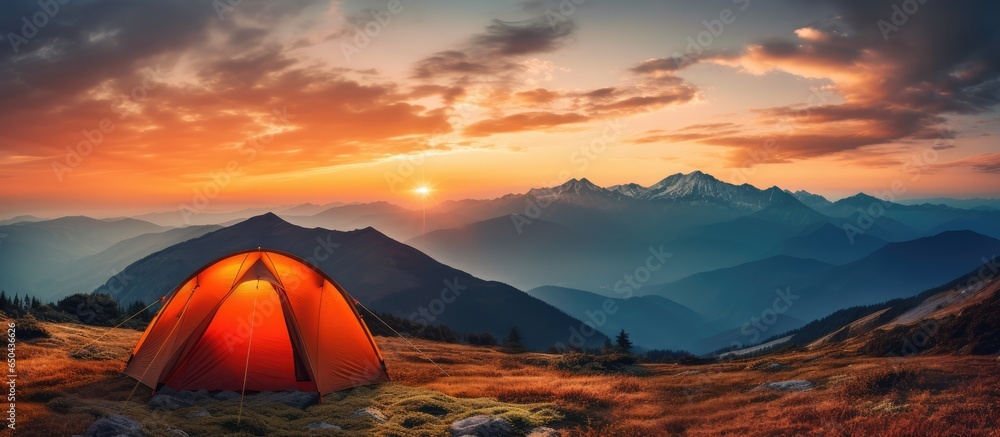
(267, 103)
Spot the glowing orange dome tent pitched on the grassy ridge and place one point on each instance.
(258, 320)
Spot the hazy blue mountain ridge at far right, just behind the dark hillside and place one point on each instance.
(734, 295)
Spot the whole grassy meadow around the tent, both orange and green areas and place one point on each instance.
(936, 395)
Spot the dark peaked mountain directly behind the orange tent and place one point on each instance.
(380, 272)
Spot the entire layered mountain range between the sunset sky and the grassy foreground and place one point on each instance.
(731, 250)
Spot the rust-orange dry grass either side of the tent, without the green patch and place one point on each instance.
(940, 395)
